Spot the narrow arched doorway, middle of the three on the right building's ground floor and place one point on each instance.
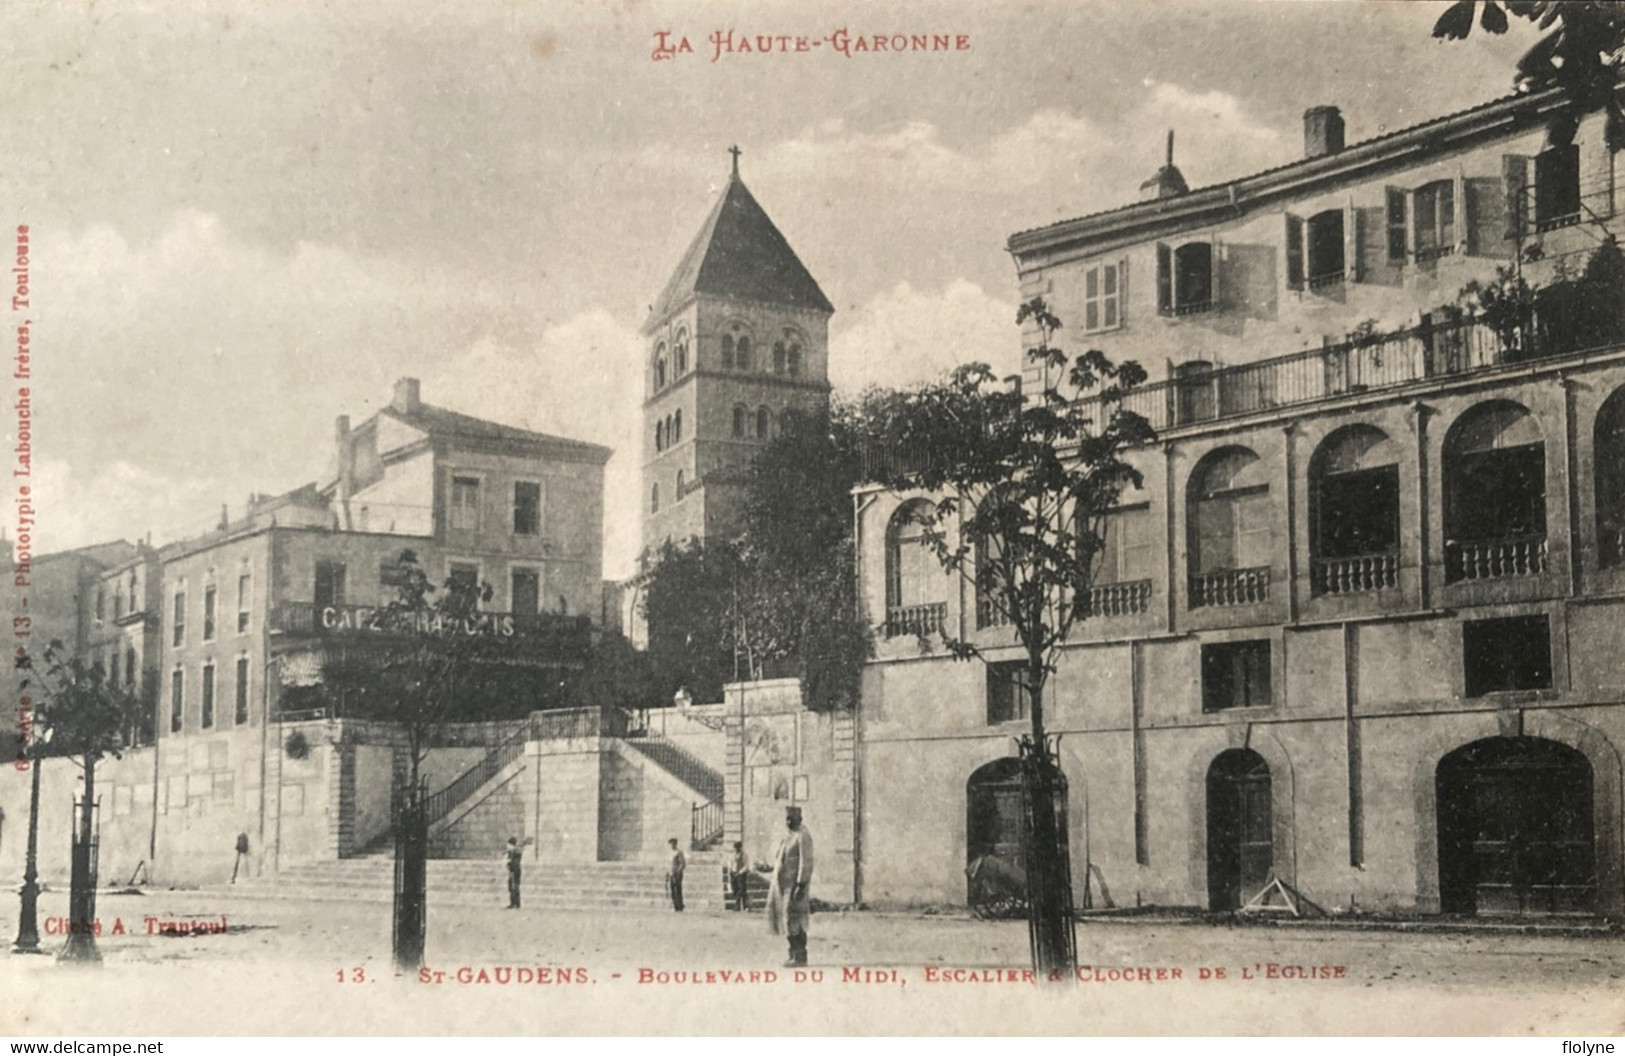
(1241, 828)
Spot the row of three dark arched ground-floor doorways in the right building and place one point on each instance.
(1515, 828)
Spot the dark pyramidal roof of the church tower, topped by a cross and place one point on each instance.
(740, 254)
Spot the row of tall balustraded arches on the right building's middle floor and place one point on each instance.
(1494, 495)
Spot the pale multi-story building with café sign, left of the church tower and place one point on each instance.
(236, 625)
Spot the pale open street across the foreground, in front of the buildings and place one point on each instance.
(313, 967)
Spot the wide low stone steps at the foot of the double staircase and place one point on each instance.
(470, 883)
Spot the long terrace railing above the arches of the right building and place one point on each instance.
(1369, 363)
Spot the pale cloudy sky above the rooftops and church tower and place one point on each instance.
(249, 219)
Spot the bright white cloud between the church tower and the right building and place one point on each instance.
(906, 335)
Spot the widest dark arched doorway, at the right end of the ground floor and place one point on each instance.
(1515, 829)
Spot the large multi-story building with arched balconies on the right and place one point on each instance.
(1359, 628)
